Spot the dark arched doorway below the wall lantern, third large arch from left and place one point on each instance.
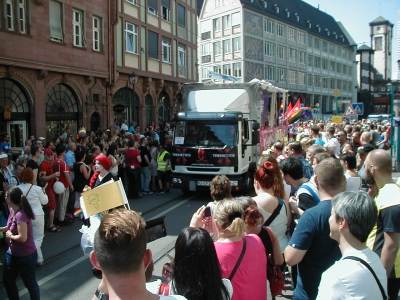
(124, 97)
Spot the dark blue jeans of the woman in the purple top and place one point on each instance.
(26, 267)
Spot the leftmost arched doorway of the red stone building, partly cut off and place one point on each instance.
(14, 112)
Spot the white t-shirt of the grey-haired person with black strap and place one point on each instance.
(350, 279)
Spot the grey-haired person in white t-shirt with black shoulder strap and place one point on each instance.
(352, 218)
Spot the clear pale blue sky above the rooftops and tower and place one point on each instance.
(355, 15)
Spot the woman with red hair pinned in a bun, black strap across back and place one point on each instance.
(271, 207)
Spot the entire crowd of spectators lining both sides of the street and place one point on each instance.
(325, 205)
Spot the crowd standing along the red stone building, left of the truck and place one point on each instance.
(49, 177)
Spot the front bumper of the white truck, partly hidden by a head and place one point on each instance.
(202, 183)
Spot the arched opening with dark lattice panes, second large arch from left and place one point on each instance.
(62, 113)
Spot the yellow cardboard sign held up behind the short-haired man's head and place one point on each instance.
(103, 198)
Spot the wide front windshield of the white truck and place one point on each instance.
(205, 133)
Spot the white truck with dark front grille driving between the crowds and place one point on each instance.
(218, 134)
